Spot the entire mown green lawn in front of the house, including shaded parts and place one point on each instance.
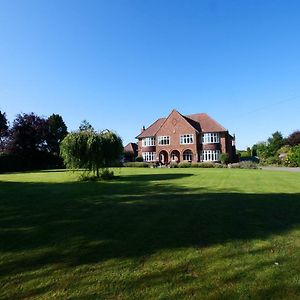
(151, 234)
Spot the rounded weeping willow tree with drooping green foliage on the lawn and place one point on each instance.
(91, 150)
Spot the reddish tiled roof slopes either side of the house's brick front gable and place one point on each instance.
(200, 122)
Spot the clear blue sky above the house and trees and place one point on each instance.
(121, 64)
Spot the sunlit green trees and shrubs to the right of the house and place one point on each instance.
(279, 150)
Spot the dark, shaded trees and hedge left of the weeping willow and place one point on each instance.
(31, 142)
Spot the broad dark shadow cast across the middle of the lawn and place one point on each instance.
(82, 223)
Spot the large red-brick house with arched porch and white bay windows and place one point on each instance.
(180, 138)
